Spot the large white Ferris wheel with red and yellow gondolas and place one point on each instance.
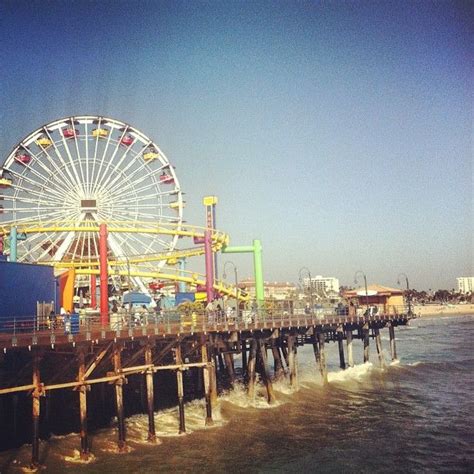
(75, 173)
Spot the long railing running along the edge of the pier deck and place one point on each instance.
(87, 325)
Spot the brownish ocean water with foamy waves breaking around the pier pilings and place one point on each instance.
(414, 415)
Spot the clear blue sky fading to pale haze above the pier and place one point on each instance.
(339, 133)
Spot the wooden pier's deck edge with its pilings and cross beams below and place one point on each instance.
(203, 350)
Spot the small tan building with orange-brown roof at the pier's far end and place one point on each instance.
(386, 300)
